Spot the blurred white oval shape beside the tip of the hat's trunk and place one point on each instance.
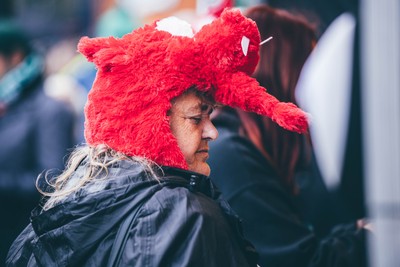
(324, 91)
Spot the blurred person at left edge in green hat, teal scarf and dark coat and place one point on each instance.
(35, 131)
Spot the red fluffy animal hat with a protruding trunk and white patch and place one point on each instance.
(141, 72)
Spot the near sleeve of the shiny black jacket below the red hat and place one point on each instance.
(180, 228)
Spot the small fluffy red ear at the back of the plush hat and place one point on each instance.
(104, 52)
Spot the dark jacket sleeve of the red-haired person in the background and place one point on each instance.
(270, 220)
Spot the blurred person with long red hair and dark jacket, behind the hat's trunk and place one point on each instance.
(269, 175)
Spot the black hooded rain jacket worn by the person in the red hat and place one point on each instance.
(179, 222)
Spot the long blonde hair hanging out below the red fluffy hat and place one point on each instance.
(96, 161)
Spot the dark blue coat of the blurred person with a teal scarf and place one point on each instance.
(36, 132)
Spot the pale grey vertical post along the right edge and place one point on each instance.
(380, 45)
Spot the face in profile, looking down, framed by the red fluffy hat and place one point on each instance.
(190, 123)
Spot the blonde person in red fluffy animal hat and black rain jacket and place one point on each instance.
(138, 193)
